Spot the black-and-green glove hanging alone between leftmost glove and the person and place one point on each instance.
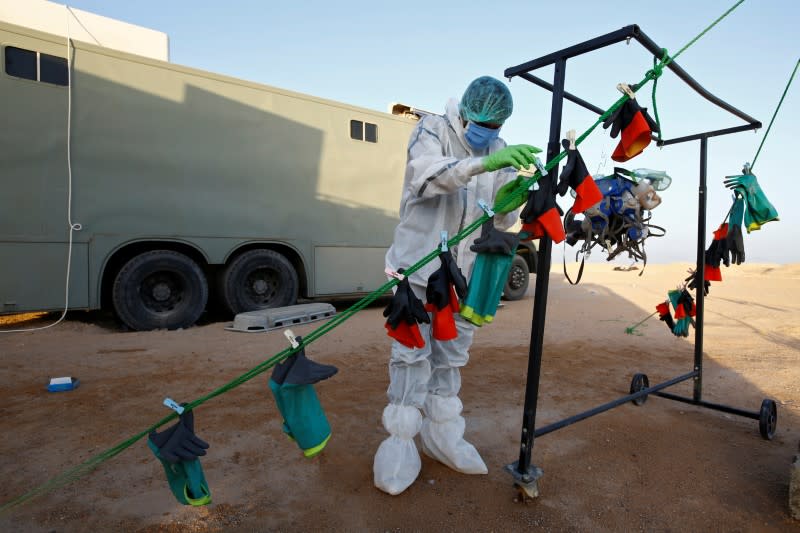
(292, 386)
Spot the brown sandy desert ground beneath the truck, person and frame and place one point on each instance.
(663, 466)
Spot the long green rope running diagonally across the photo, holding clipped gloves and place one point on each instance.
(86, 467)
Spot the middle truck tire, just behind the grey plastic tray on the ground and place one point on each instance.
(259, 279)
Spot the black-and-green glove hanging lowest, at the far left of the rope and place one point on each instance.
(178, 449)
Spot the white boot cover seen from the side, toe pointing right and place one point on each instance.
(443, 436)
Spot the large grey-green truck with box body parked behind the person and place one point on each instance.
(149, 188)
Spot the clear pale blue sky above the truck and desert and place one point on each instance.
(371, 53)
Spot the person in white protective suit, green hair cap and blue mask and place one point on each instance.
(454, 160)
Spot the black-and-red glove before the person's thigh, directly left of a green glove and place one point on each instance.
(445, 287)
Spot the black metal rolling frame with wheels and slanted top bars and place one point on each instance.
(525, 474)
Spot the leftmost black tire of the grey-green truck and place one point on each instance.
(160, 289)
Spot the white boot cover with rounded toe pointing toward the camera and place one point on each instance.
(397, 463)
